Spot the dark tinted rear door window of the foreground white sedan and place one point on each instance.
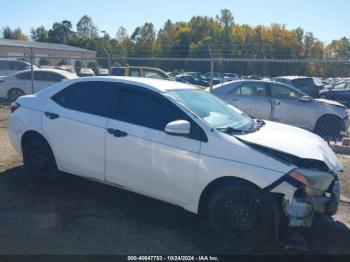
(97, 98)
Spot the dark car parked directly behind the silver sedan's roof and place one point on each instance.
(308, 85)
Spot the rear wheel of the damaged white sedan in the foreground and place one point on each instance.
(39, 160)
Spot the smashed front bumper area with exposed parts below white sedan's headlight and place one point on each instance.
(302, 203)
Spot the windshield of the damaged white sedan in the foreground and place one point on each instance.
(213, 111)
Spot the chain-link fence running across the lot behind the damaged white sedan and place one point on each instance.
(327, 80)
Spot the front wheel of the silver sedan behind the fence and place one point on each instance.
(328, 126)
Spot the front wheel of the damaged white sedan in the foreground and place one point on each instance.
(241, 215)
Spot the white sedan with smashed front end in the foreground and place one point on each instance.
(176, 143)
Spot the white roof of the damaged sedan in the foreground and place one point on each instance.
(157, 85)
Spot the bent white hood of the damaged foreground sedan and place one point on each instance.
(293, 141)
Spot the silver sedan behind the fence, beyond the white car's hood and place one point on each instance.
(282, 103)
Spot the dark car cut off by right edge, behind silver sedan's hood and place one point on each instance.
(339, 92)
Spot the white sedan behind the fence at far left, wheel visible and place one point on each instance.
(20, 83)
